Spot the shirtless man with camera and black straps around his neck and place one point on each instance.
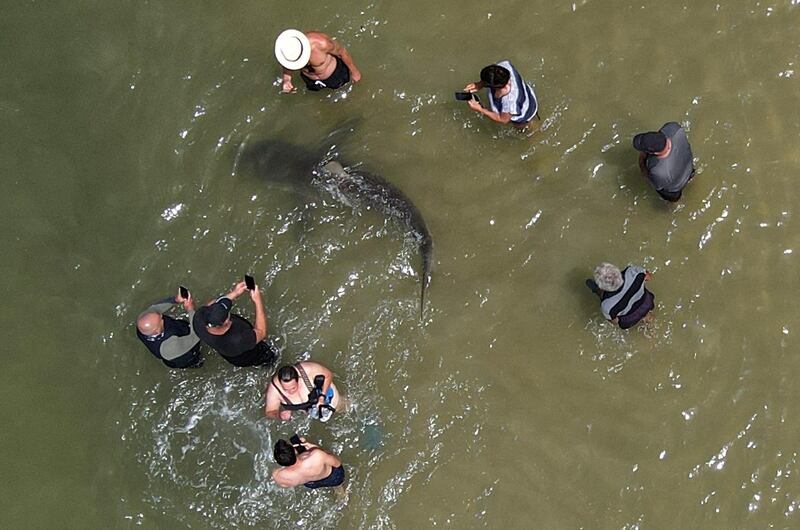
(292, 385)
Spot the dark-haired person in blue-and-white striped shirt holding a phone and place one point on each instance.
(511, 99)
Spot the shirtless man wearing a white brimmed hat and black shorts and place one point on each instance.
(323, 62)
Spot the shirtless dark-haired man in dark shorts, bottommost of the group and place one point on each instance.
(307, 464)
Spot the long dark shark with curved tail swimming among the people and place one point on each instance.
(284, 163)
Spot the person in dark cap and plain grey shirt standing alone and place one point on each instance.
(666, 159)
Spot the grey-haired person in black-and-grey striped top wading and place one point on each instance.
(624, 300)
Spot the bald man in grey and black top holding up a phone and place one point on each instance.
(171, 340)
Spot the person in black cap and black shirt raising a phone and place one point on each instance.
(239, 342)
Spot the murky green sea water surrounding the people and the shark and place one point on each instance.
(513, 403)
